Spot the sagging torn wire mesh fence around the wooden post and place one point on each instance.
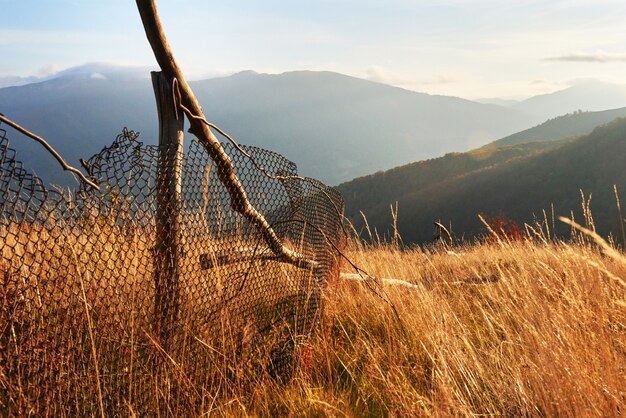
(120, 300)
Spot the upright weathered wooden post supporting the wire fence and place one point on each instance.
(168, 207)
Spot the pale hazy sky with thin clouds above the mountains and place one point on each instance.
(468, 48)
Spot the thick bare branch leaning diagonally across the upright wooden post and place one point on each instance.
(223, 164)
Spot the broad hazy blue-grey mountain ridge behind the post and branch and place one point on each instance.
(334, 127)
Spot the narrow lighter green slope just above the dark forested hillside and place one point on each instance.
(569, 125)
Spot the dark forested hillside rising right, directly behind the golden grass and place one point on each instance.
(516, 188)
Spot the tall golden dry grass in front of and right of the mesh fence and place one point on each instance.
(525, 328)
